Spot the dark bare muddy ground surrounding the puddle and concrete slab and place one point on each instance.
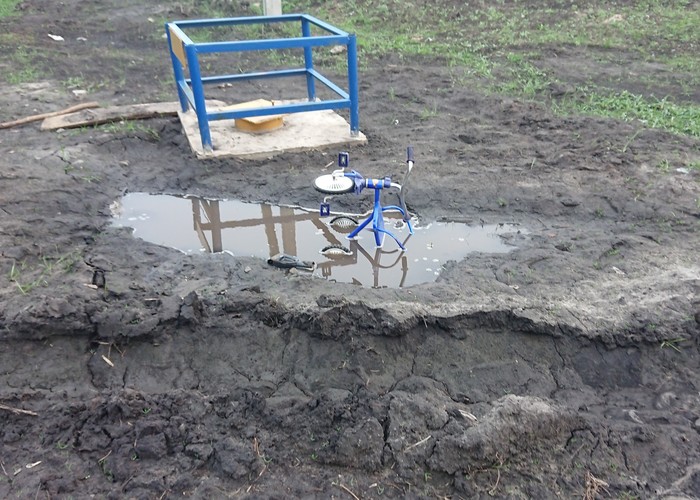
(564, 368)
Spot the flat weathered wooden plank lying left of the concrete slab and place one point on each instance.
(99, 116)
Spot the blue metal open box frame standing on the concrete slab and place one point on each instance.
(184, 55)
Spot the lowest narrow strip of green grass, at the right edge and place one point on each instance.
(652, 112)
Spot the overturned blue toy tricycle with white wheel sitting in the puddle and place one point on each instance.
(340, 181)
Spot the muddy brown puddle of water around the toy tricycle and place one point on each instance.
(261, 230)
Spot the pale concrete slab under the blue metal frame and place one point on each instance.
(300, 132)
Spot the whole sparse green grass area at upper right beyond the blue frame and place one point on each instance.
(501, 42)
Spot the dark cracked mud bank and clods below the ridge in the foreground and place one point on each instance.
(465, 405)
